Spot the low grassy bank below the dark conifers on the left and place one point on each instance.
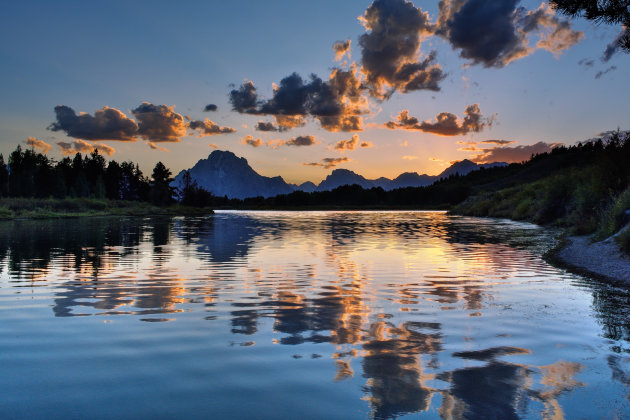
(34, 208)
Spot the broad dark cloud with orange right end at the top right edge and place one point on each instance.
(495, 33)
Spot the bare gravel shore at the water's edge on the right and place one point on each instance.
(602, 258)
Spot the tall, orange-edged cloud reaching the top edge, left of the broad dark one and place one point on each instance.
(390, 49)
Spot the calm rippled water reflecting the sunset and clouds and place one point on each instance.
(304, 315)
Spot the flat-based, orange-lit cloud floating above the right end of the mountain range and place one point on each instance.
(445, 124)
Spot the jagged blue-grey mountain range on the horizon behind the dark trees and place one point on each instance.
(225, 174)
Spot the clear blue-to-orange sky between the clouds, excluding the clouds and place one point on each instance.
(88, 55)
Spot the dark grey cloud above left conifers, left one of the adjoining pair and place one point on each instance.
(106, 124)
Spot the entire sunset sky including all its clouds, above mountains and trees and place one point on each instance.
(300, 88)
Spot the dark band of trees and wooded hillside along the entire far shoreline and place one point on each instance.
(583, 189)
